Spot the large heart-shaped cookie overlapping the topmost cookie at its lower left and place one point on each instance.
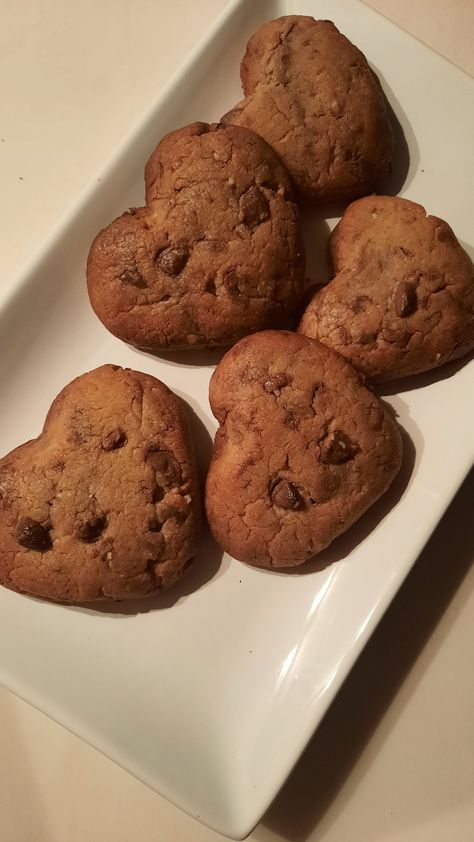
(215, 254)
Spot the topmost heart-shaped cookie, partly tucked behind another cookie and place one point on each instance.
(312, 95)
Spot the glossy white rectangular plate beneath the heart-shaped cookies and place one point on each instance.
(210, 693)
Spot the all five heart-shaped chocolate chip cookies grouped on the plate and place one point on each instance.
(105, 503)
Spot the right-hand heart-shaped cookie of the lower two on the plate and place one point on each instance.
(302, 450)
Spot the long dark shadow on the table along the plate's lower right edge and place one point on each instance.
(377, 676)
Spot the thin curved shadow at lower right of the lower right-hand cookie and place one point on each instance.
(343, 546)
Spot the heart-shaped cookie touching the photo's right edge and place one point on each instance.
(402, 298)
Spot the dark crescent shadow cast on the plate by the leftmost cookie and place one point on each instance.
(208, 558)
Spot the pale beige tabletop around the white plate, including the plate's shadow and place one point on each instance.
(394, 759)
